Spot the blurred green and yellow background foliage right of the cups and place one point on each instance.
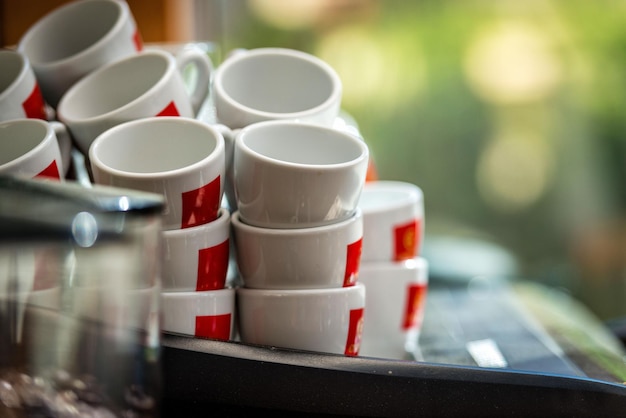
(510, 115)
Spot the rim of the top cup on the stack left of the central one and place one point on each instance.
(94, 157)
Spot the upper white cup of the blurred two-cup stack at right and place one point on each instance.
(393, 220)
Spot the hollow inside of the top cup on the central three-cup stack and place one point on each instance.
(296, 143)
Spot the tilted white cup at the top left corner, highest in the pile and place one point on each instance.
(75, 39)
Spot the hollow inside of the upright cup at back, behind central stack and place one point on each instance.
(277, 83)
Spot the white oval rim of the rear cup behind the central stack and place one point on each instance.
(230, 61)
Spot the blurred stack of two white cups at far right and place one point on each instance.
(395, 276)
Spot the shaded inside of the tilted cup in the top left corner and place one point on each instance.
(70, 29)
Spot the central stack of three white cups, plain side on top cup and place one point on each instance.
(298, 236)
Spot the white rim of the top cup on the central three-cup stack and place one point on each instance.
(358, 142)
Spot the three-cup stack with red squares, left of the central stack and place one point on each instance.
(183, 160)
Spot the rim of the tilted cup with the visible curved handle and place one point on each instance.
(68, 96)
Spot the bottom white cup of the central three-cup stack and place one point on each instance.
(323, 320)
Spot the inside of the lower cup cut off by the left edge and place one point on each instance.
(19, 137)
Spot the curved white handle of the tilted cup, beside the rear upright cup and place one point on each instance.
(203, 66)
